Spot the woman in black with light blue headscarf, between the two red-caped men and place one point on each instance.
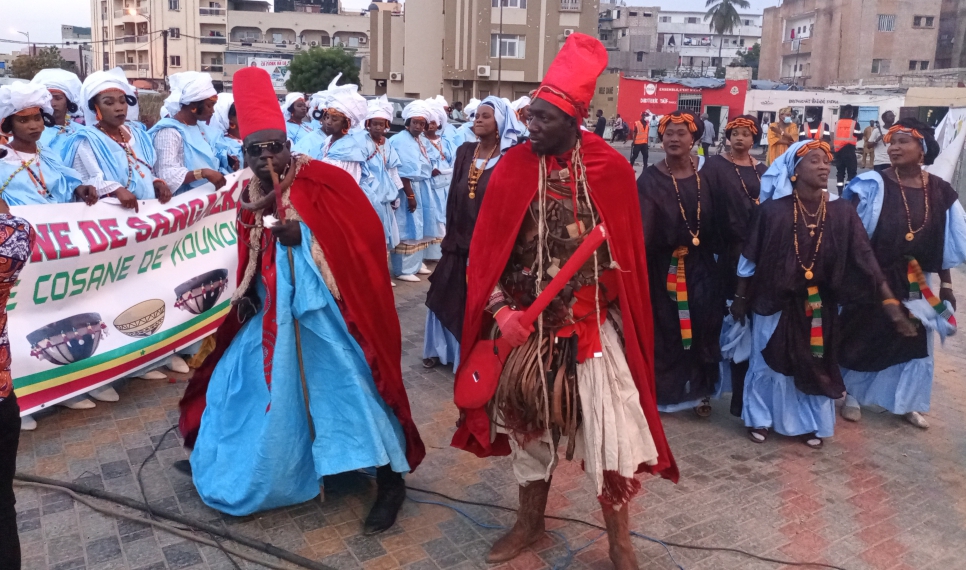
(497, 128)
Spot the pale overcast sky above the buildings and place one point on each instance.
(35, 16)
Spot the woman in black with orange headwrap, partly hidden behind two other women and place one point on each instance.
(735, 177)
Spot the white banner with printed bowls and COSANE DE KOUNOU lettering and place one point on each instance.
(109, 291)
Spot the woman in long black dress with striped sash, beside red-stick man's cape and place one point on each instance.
(681, 239)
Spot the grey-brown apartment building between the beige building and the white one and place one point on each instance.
(630, 34)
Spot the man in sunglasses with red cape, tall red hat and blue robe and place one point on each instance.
(305, 380)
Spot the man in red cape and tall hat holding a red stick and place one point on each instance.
(580, 182)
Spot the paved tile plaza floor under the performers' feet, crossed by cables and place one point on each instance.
(881, 494)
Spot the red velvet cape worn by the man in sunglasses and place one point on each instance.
(350, 234)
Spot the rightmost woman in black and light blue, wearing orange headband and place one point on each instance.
(910, 215)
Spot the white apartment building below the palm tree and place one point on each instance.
(699, 51)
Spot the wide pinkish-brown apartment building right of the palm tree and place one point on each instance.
(816, 43)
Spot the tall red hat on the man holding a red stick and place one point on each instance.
(572, 77)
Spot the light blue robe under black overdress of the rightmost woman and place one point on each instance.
(904, 387)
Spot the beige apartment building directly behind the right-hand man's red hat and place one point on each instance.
(471, 48)
